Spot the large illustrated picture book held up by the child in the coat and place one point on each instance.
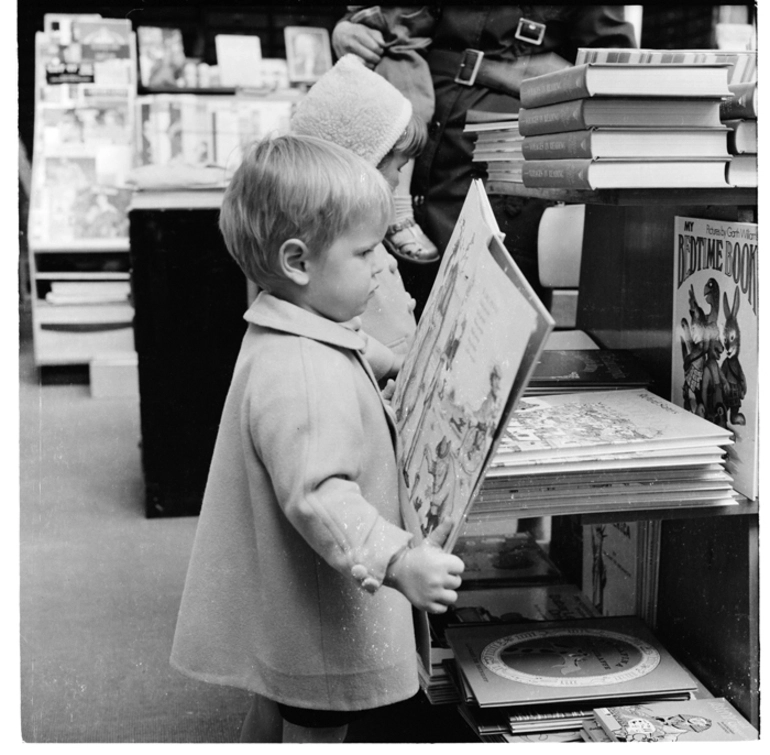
(476, 346)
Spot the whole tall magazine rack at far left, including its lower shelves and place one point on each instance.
(85, 83)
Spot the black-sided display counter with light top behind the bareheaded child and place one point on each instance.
(189, 297)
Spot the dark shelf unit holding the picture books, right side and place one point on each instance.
(708, 597)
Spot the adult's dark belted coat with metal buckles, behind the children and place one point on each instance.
(444, 170)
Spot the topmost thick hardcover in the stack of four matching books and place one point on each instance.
(624, 80)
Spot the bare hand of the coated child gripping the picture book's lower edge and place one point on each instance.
(426, 575)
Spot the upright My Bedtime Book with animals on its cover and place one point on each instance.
(714, 352)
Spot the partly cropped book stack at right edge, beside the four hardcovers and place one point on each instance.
(739, 114)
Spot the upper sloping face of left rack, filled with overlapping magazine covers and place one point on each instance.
(85, 84)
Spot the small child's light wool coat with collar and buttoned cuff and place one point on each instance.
(305, 455)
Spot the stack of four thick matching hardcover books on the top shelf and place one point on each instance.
(625, 125)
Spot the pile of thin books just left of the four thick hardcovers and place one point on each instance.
(497, 143)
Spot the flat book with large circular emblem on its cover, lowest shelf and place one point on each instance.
(554, 662)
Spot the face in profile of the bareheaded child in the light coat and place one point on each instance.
(342, 279)
